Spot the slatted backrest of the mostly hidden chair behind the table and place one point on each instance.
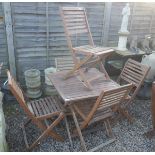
(64, 63)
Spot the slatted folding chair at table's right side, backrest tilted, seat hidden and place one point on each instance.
(135, 73)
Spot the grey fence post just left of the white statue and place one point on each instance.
(106, 23)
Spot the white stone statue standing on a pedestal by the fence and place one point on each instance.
(126, 14)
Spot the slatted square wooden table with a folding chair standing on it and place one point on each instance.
(72, 89)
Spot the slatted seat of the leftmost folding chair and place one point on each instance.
(45, 106)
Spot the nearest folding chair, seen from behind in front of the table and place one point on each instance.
(100, 110)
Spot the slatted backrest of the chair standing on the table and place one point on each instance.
(75, 22)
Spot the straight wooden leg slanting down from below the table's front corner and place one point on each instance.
(78, 129)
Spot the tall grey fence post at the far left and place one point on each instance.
(9, 36)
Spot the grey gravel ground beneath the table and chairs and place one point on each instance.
(129, 137)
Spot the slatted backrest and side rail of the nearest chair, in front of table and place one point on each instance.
(106, 100)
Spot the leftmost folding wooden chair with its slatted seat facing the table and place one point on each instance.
(39, 112)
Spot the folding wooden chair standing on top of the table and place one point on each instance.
(76, 23)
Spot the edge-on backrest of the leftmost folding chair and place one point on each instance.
(17, 92)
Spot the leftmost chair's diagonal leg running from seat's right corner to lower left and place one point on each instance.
(47, 131)
